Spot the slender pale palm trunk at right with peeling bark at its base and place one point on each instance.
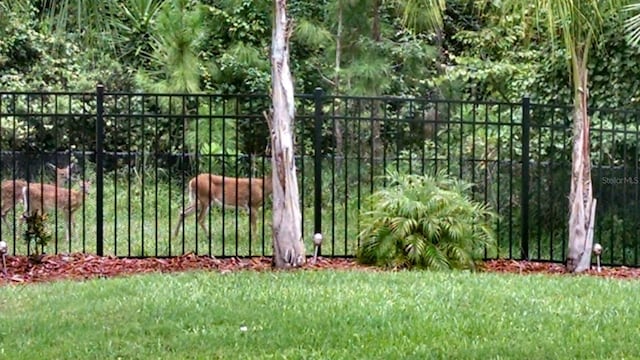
(581, 202)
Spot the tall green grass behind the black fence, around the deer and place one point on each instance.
(141, 210)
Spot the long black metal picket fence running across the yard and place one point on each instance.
(140, 151)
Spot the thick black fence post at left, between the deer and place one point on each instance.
(99, 169)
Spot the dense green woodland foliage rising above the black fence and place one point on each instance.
(345, 47)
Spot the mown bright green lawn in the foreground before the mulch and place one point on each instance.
(322, 315)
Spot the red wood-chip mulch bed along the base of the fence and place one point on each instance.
(81, 266)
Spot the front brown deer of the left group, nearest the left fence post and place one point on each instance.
(41, 198)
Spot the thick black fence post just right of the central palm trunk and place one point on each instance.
(317, 158)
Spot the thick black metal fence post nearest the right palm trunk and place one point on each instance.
(524, 190)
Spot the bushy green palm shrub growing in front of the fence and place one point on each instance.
(424, 222)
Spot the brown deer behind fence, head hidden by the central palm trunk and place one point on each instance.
(207, 189)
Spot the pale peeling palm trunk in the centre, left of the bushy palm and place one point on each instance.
(288, 248)
